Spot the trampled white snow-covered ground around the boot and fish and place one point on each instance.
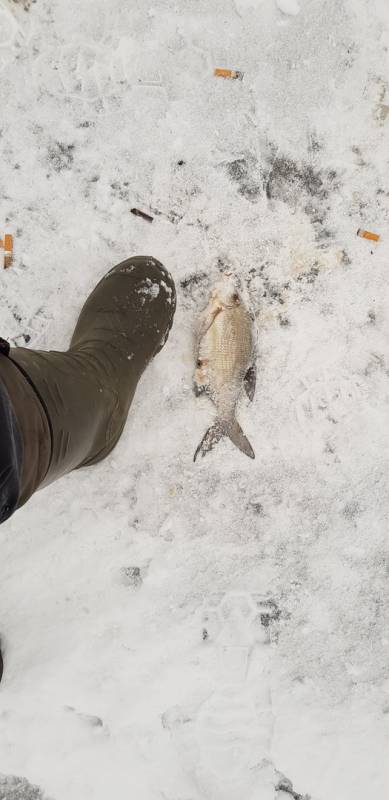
(173, 630)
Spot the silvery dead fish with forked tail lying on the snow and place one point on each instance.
(225, 362)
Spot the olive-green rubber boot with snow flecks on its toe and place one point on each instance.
(84, 394)
